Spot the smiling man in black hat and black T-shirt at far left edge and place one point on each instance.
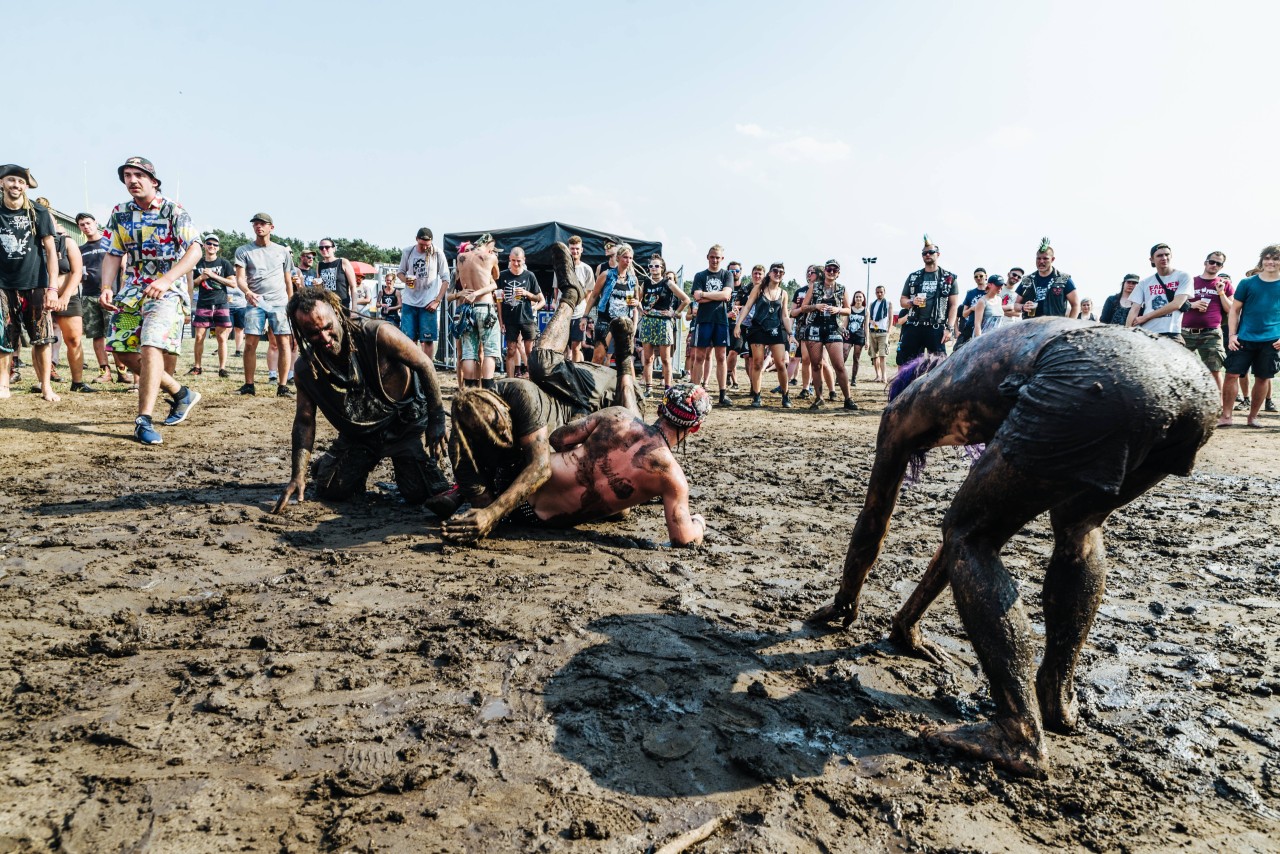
(26, 235)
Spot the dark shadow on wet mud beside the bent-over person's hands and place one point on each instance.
(656, 710)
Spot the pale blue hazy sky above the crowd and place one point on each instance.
(790, 133)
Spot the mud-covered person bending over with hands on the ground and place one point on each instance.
(1077, 421)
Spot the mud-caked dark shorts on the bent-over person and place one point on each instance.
(1105, 401)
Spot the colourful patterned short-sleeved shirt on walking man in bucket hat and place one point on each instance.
(153, 243)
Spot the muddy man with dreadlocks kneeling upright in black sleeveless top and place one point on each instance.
(377, 389)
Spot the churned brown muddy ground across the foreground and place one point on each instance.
(190, 673)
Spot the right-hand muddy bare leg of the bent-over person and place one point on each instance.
(1075, 583)
